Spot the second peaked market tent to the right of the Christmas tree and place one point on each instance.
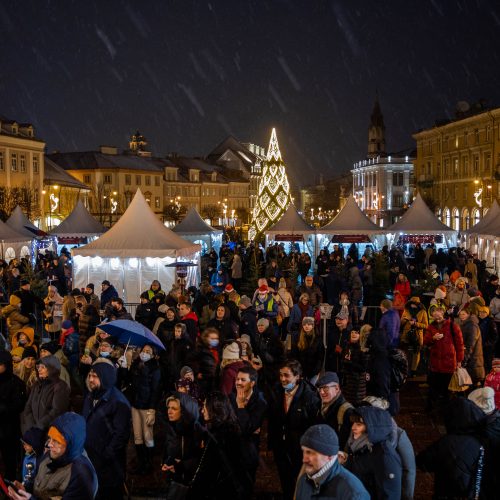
(352, 224)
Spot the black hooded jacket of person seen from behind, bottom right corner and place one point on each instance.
(453, 458)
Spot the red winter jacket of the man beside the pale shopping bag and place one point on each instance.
(447, 352)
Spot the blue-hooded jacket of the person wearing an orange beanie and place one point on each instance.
(72, 476)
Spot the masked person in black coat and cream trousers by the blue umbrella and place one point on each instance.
(145, 390)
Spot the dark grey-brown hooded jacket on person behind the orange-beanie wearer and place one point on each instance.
(48, 398)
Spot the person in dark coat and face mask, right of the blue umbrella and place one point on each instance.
(205, 359)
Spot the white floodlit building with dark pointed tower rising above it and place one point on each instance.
(383, 184)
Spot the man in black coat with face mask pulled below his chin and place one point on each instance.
(293, 406)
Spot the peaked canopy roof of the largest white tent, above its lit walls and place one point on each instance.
(138, 233)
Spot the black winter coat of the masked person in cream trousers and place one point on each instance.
(145, 388)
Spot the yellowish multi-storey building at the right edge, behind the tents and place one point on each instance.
(457, 168)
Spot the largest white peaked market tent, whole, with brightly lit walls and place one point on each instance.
(133, 253)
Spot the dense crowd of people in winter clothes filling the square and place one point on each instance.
(240, 368)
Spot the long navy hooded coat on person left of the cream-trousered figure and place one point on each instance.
(107, 415)
